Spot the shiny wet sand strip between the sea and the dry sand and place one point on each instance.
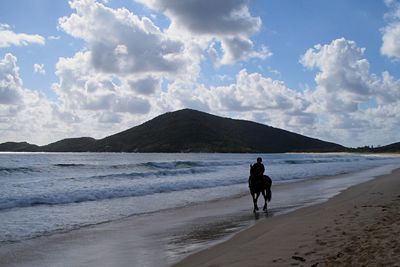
(164, 238)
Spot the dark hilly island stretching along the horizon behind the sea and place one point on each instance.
(190, 130)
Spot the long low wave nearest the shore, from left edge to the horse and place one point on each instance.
(84, 195)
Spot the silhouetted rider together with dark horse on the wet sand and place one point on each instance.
(259, 184)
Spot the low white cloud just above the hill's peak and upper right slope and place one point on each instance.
(252, 96)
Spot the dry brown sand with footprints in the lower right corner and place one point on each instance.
(359, 227)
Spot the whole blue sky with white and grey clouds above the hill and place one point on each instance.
(328, 69)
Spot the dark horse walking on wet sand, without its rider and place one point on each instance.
(260, 184)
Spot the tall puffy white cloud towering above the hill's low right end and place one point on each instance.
(349, 100)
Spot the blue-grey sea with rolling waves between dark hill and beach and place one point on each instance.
(46, 193)
